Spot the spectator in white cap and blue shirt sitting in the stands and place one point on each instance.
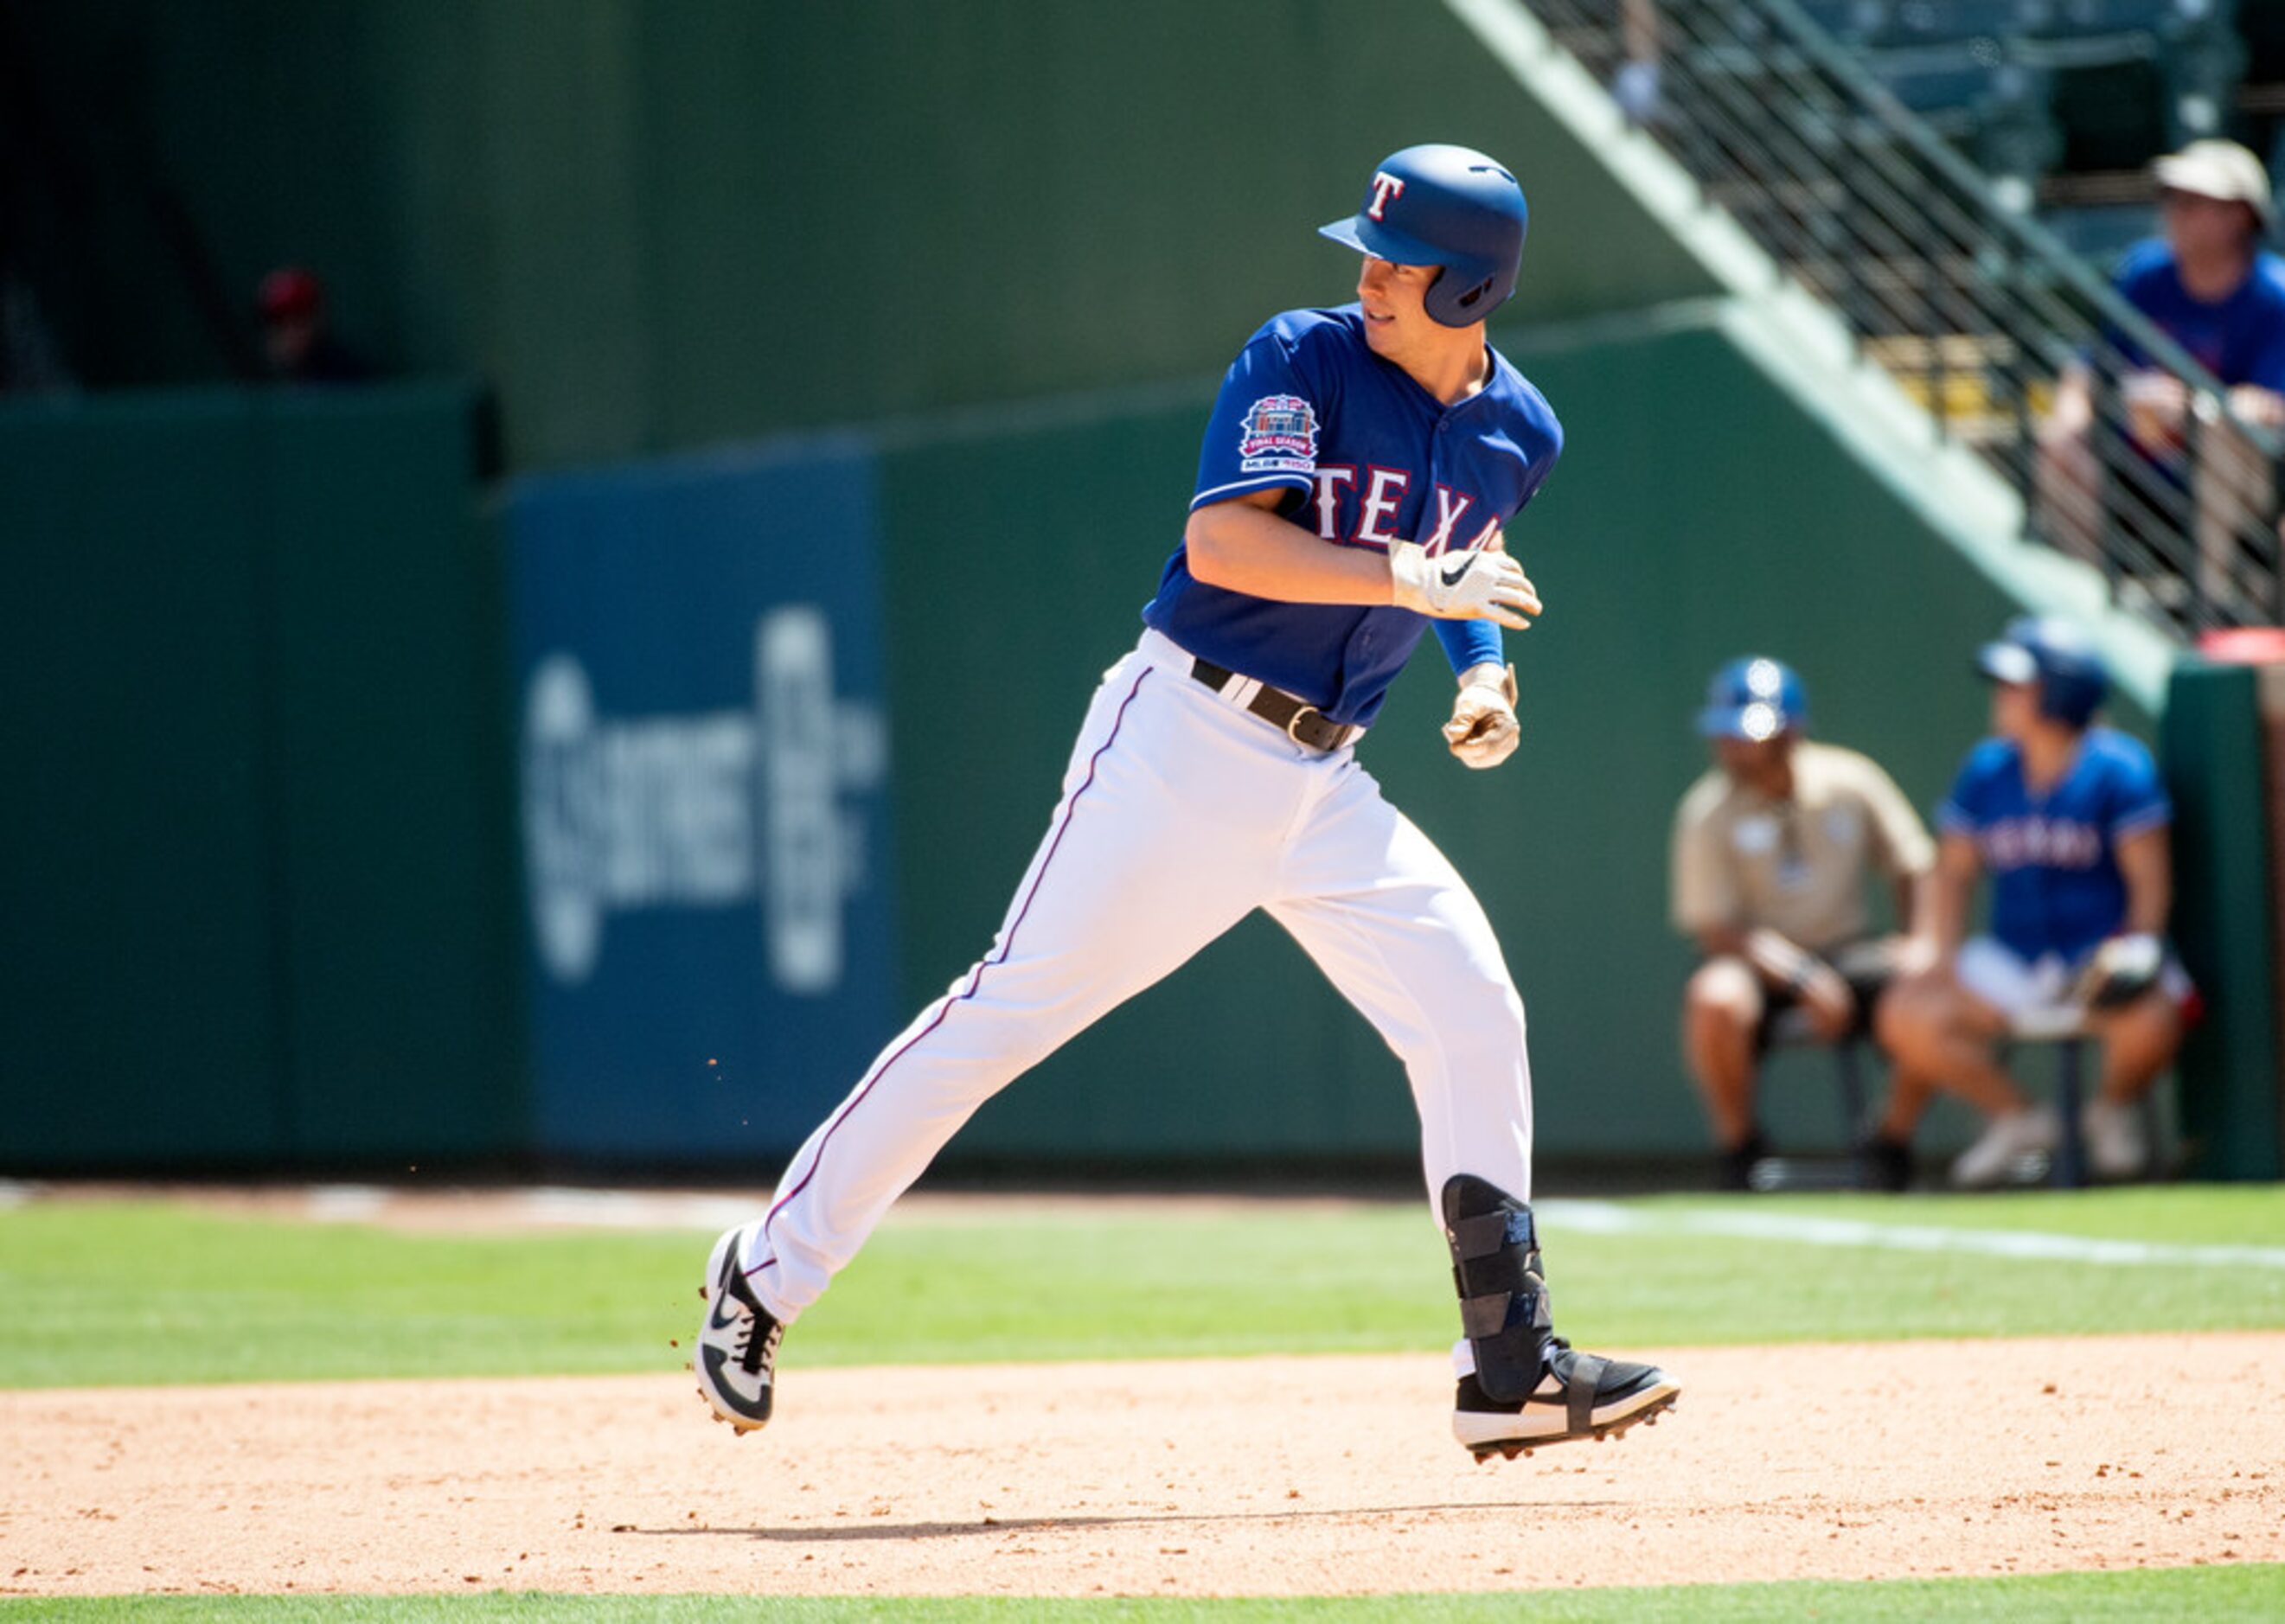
(2213, 289)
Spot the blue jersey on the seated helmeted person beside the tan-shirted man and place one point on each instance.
(2055, 858)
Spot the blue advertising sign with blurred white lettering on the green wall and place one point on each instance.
(705, 801)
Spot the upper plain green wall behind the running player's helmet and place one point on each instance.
(668, 223)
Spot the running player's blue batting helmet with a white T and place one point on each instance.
(1445, 207)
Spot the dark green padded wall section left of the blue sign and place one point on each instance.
(259, 867)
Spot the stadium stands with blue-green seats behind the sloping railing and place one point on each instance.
(1957, 177)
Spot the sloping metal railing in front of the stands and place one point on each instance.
(2124, 449)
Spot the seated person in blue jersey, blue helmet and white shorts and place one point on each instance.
(2071, 823)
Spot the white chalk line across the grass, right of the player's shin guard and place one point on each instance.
(2023, 1246)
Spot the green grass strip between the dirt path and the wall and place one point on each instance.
(97, 1287)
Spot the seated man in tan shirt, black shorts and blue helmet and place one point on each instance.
(1770, 860)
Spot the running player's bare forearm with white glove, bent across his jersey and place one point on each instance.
(1242, 545)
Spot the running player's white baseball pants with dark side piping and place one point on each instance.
(1180, 814)
